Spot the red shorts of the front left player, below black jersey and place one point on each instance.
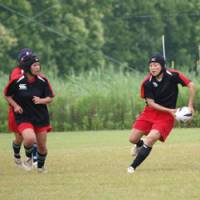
(22, 126)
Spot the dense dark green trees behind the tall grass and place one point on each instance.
(80, 35)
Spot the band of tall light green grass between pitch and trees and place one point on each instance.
(99, 99)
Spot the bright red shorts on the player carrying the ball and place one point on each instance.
(154, 119)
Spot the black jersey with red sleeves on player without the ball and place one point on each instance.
(23, 92)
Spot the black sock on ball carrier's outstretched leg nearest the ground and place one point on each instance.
(143, 153)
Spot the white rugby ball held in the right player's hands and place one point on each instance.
(183, 114)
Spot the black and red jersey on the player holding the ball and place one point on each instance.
(164, 92)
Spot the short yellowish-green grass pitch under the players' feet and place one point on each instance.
(92, 166)
